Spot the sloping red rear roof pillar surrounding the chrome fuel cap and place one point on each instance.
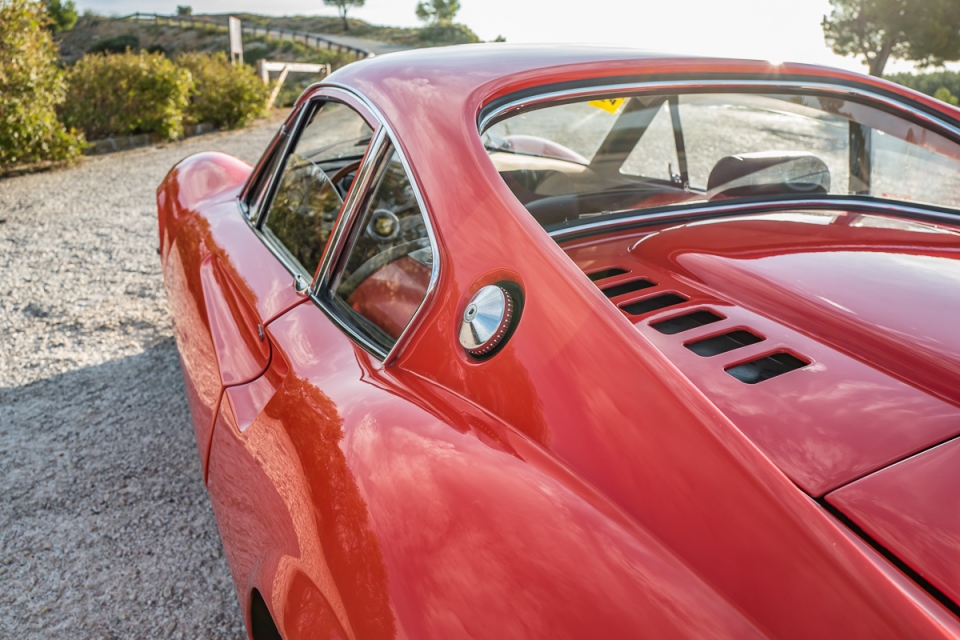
(577, 379)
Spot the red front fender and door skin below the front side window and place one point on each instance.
(221, 283)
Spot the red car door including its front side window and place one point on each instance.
(230, 270)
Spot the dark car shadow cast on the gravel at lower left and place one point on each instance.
(105, 526)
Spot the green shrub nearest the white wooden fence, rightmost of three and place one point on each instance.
(224, 94)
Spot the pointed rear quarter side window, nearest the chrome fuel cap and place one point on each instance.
(388, 262)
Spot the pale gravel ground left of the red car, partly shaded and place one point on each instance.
(106, 530)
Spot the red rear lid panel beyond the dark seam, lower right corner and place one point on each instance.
(912, 509)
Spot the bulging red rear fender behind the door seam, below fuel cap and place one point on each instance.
(425, 528)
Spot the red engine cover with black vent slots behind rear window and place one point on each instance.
(830, 287)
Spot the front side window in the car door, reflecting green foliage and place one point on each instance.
(316, 177)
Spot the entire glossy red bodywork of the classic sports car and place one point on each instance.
(595, 478)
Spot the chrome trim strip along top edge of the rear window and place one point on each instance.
(710, 86)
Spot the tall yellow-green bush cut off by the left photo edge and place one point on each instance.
(31, 87)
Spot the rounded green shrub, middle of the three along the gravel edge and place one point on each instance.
(127, 93)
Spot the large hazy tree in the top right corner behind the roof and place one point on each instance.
(924, 31)
